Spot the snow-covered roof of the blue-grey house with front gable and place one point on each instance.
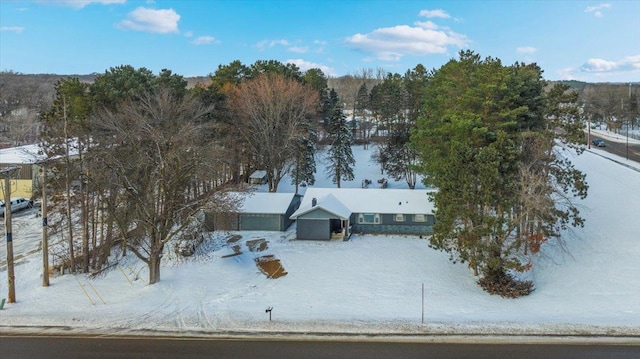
(374, 200)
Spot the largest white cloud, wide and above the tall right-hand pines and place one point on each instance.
(392, 43)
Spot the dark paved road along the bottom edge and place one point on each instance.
(73, 347)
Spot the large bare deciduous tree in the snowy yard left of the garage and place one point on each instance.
(154, 150)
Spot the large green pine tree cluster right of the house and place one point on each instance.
(486, 141)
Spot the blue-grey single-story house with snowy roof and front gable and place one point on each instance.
(334, 213)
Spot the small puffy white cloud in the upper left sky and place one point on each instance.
(161, 21)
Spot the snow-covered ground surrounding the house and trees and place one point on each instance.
(370, 284)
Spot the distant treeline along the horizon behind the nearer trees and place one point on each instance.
(27, 95)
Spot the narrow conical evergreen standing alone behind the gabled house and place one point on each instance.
(339, 156)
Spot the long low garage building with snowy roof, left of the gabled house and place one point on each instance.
(257, 211)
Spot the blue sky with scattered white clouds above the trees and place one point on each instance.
(590, 41)
